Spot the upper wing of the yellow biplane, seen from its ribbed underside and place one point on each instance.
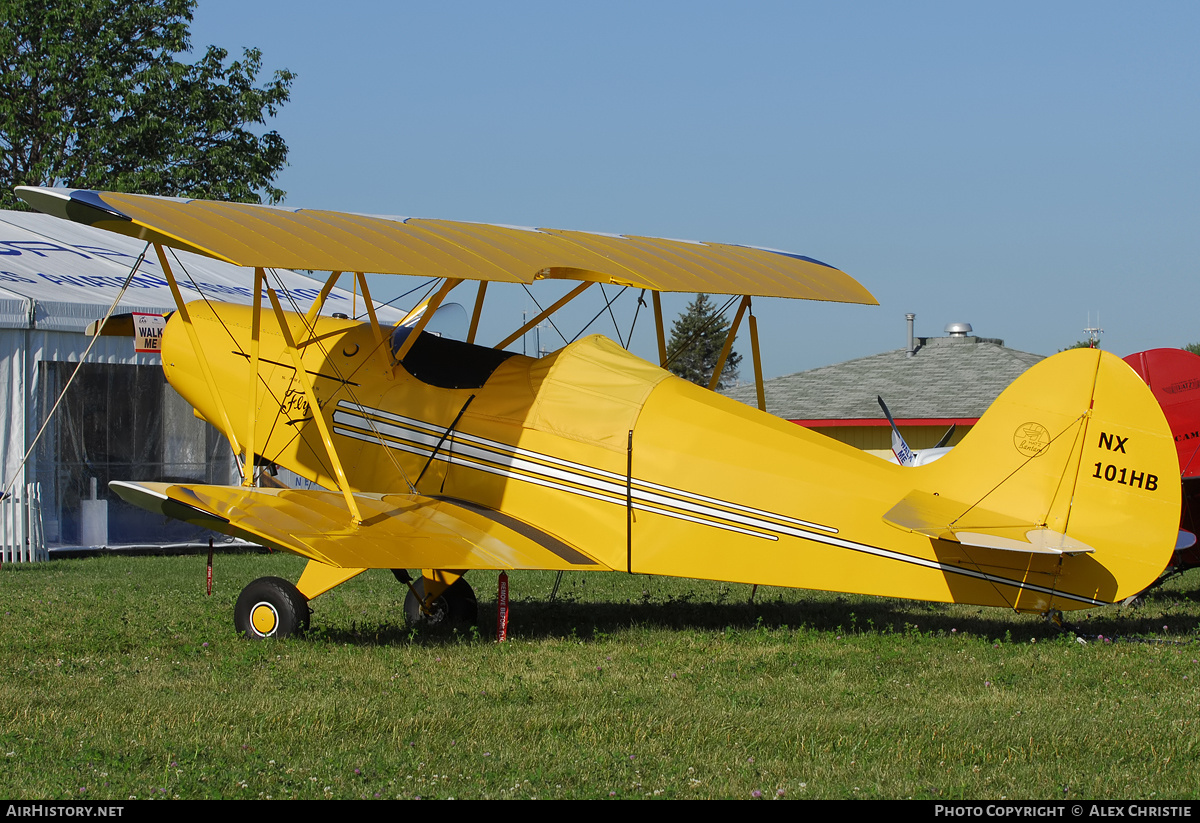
(273, 237)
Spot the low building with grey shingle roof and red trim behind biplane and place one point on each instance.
(931, 386)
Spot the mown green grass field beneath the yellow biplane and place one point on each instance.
(123, 680)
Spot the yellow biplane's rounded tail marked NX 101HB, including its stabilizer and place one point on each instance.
(1075, 459)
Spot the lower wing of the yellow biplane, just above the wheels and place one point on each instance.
(398, 531)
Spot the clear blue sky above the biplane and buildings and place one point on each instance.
(1016, 166)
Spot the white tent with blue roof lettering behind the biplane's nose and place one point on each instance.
(57, 278)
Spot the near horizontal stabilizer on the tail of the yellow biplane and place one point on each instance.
(944, 519)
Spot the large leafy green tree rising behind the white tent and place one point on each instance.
(93, 97)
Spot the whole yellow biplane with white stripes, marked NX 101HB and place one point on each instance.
(448, 456)
